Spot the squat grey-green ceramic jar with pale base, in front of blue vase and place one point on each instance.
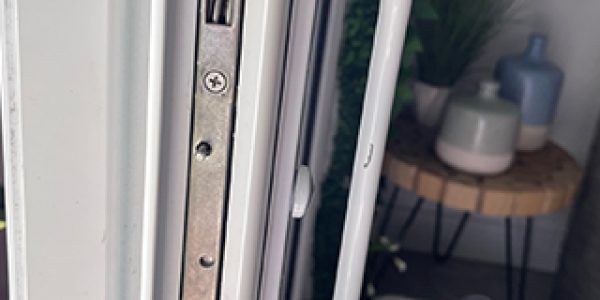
(479, 133)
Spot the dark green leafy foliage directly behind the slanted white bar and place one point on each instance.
(359, 27)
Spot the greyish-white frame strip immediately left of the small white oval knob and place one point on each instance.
(299, 48)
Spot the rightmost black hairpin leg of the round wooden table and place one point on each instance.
(524, 262)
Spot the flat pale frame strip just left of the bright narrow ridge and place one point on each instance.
(127, 110)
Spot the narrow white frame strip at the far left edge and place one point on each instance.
(12, 134)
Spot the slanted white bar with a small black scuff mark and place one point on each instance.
(387, 50)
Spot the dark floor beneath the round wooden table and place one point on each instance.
(426, 279)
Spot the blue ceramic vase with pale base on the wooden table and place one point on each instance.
(534, 83)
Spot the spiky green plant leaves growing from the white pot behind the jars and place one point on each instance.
(456, 37)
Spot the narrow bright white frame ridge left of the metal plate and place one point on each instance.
(153, 138)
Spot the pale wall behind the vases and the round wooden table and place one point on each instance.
(574, 41)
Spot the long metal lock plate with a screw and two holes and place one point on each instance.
(214, 98)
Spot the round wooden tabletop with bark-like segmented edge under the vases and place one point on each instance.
(539, 182)
